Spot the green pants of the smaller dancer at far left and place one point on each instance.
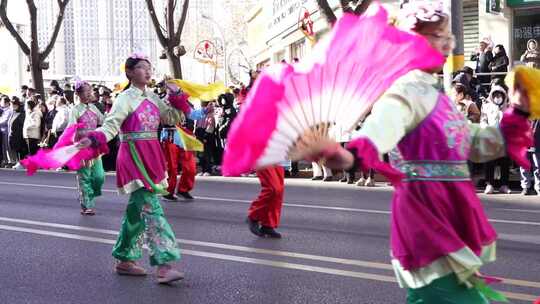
(90, 179)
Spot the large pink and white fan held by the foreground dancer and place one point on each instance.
(333, 88)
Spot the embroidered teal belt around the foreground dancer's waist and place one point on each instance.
(434, 170)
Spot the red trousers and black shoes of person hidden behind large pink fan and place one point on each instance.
(265, 212)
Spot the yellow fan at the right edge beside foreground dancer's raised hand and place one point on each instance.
(529, 79)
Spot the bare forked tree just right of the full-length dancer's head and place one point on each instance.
(170, 37)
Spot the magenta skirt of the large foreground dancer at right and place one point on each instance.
(431, 219)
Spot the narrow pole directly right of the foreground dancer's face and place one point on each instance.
(457, 59)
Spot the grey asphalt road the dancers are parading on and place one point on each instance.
(335, 246)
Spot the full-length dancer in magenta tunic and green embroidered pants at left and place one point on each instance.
(141, 170)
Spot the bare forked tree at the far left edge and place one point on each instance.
(35, 56)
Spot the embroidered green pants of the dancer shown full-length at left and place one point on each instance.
(144, 221)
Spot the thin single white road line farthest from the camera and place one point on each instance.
(371, 211)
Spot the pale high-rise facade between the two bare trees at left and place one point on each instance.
(96, 37)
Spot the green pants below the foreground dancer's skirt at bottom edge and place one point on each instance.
(446, 290)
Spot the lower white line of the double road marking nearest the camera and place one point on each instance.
(286, 265)
